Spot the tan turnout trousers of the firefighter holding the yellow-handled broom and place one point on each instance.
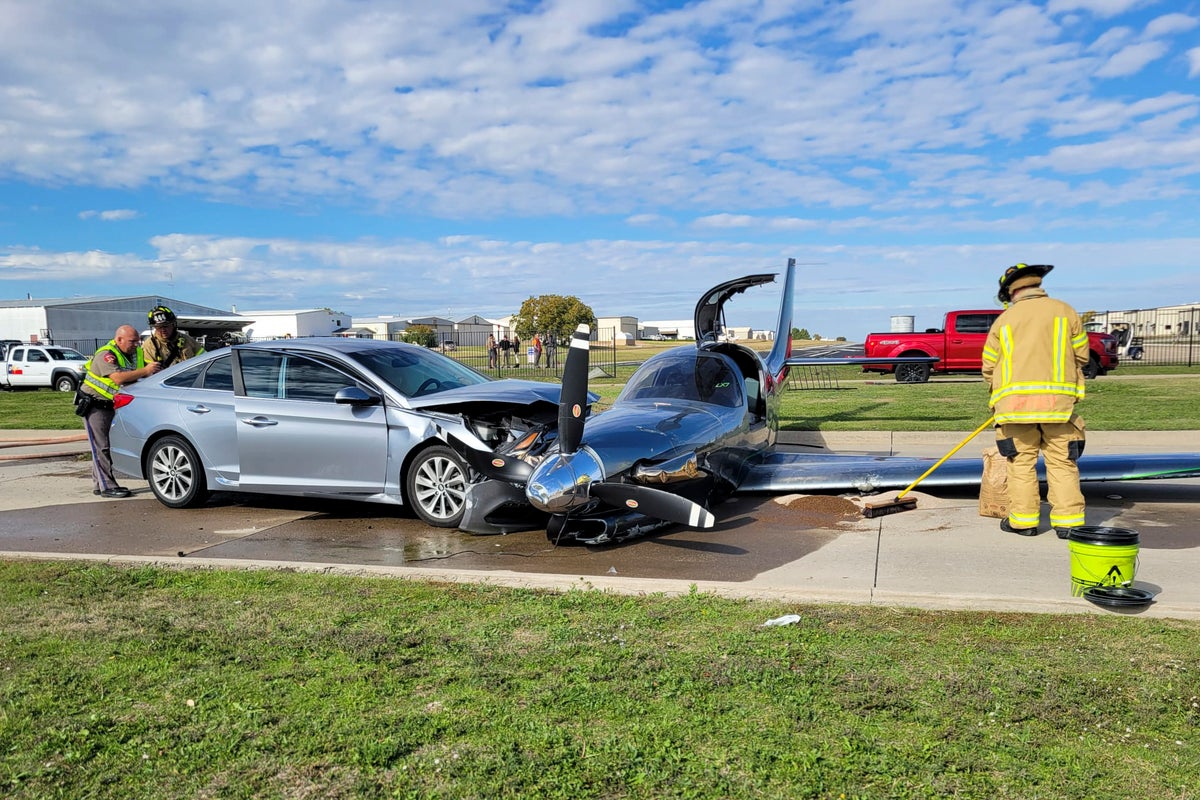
(1061, 446)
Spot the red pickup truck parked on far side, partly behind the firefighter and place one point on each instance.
(958, 347)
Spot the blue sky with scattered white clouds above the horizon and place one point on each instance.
(458, 158)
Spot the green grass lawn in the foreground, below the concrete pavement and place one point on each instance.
(143, 683)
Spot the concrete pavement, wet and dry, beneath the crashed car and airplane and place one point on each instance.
(793, 550)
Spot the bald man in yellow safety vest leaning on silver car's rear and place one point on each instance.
(117, 364)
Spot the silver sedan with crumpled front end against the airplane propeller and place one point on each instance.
(347, 419)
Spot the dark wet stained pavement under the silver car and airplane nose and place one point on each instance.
(755, 536)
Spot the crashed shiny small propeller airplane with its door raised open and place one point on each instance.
(698, 424)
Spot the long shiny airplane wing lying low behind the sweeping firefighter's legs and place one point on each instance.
(797, 472)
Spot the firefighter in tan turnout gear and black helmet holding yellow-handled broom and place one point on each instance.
(1034, 362)
